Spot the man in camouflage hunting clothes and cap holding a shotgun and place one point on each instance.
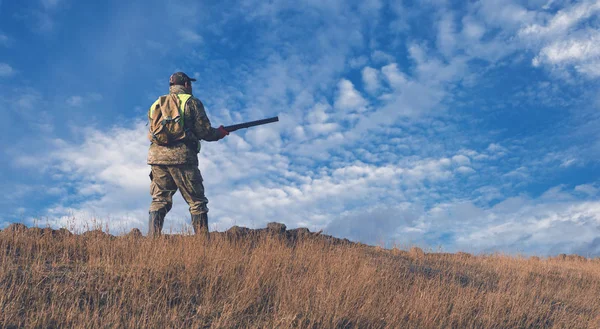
(175, 165)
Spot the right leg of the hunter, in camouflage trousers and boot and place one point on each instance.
(189, 182)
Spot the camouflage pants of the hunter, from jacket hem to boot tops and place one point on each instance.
(166, 180)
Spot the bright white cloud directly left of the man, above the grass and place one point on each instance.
(107, 170)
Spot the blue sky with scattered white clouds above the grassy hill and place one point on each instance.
(449, 125)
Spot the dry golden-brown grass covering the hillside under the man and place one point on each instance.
(98, 281)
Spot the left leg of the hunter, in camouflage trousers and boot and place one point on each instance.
(162, 188)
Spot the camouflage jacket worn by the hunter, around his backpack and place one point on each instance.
(198, 128)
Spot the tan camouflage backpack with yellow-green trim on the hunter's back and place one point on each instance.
(165, 119)
